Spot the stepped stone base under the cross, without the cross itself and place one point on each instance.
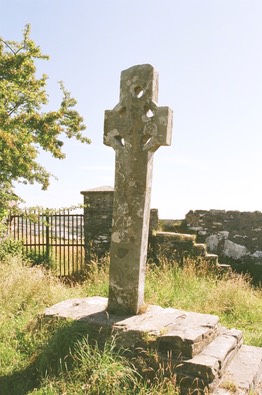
(206, 358)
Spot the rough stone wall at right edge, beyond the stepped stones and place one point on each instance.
(235, 236)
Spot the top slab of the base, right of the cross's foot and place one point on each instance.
(175, 332)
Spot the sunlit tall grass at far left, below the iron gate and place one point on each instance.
(24, 292)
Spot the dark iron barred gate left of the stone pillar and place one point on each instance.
(53, 238)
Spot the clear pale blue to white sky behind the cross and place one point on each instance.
(209, 57)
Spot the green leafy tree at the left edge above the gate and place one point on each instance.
(24, 126)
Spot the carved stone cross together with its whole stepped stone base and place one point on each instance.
(203, 354)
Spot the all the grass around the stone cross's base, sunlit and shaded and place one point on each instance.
(39, 357)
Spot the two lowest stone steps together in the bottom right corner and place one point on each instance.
(225, 366)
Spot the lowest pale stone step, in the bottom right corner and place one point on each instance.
(244, 374)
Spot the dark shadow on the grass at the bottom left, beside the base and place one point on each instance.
(53, 357)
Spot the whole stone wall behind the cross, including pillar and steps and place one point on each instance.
(236, 237)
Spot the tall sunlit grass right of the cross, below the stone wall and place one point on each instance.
(197, 288)
